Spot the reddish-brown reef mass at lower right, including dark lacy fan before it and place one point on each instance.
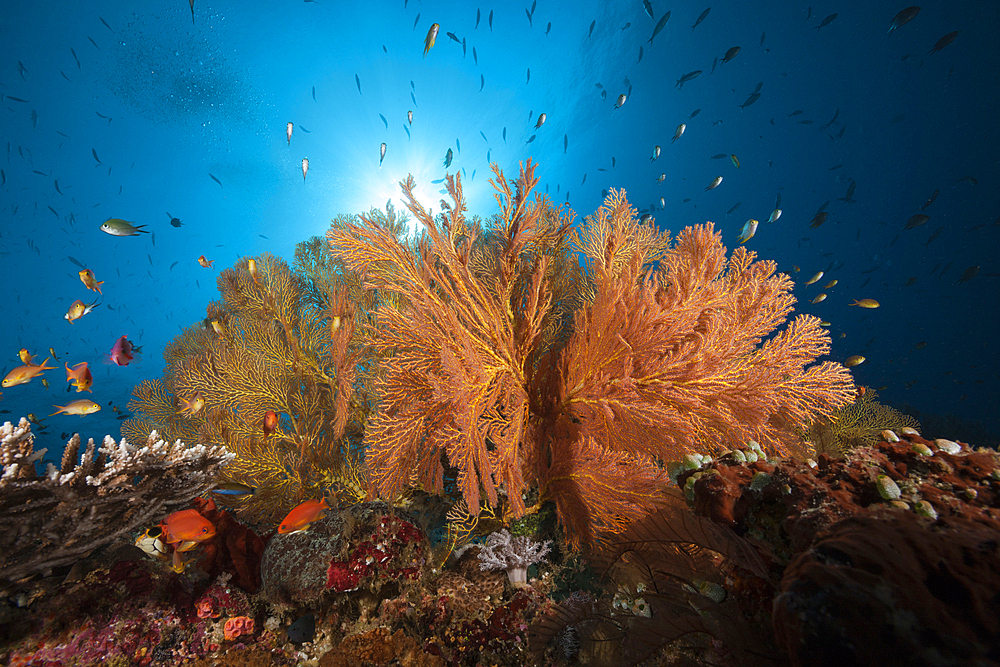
(802, 562)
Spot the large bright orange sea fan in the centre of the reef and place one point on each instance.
(506, 366)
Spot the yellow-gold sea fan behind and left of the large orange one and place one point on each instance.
(281, 343)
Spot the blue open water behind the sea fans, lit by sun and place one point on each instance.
(164, 103)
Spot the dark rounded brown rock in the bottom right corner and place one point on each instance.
(892, 590)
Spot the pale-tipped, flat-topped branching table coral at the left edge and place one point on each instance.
(58, 517)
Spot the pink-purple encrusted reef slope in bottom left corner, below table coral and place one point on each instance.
(129, 610)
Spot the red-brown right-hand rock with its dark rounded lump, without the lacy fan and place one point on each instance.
(889, 555)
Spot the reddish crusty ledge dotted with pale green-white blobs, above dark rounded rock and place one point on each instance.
(800, 500)
